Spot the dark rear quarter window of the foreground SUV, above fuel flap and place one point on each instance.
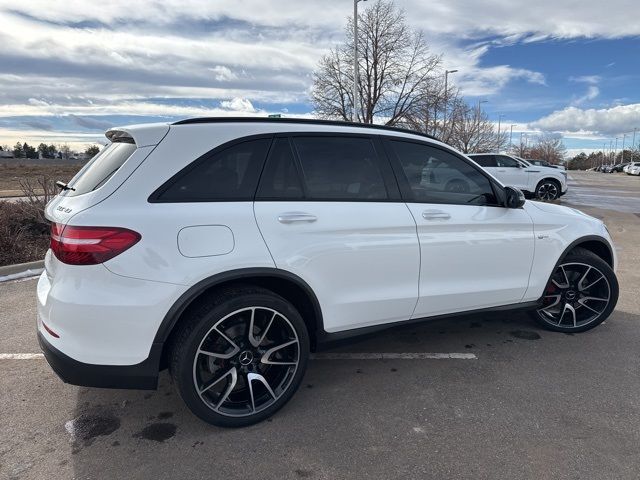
(231, 174)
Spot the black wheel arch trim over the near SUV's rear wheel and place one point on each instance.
(284, 283)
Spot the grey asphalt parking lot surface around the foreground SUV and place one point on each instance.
(527, 403)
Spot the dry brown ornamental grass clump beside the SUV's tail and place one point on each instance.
(24, 231)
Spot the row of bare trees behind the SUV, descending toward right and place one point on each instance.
(402, 83)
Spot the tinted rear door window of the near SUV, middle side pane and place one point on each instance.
(340, 168)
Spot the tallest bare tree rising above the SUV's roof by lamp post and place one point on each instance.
(397, 70)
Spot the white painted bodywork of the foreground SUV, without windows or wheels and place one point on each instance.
(368, 263)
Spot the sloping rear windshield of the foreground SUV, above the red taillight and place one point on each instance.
(100, 168)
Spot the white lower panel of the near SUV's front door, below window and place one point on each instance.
(478, 257)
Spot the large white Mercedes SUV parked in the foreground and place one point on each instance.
(227, 249)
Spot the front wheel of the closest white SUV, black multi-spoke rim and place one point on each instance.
(572, 268)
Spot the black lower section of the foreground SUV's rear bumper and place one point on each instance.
(143, 376)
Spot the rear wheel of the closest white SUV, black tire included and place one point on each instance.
(187, 362)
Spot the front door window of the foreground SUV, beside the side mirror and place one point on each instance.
(437, 176)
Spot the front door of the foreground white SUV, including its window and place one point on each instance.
(474, 253)
